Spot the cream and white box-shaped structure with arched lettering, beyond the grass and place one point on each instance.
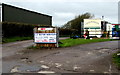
(97, 27)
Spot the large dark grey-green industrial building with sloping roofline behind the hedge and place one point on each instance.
(9, 13)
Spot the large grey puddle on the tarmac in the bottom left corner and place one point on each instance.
(13, 66)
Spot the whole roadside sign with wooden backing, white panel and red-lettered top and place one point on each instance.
(46, 37)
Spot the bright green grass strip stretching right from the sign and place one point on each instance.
(73, 42)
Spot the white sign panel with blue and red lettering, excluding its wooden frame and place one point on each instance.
(45, 37)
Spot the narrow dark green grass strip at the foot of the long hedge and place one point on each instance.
(13, 39)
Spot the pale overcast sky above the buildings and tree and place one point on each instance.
(63, 11)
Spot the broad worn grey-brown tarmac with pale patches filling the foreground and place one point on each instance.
(87, 58)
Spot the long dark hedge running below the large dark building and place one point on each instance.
(10, 29)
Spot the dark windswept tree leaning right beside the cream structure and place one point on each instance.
(75, 24)
